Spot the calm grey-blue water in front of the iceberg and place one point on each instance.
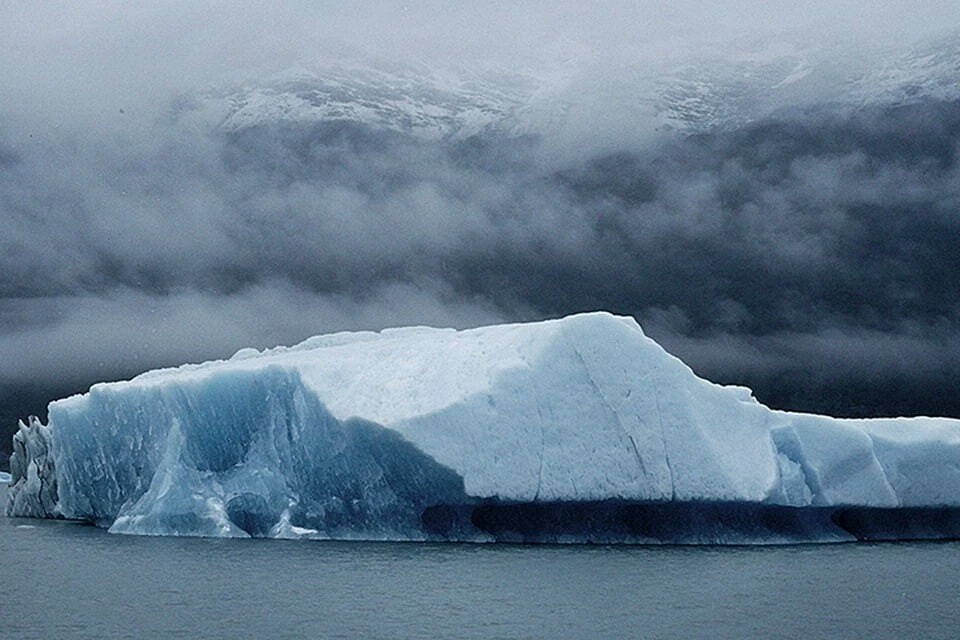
(62, 580)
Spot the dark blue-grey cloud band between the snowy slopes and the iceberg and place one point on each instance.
(816, 242)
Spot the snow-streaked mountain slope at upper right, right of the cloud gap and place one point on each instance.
(762, 81)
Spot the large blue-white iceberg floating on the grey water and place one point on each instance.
(579, 429)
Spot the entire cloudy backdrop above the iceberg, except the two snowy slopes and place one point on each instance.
(810, 255)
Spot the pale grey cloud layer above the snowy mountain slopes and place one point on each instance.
(75, 64)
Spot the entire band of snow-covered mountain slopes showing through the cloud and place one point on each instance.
(694, 91)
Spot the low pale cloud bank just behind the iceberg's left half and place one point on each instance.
(72, 340)
